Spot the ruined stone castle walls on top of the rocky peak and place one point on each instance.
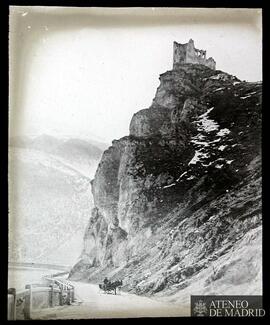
(187, 53)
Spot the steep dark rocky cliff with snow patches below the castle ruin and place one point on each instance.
(178, 201)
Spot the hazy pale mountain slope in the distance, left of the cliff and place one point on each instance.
(50, 198)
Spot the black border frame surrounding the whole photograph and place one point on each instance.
(4, 126)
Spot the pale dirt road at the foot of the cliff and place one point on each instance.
(93, 303)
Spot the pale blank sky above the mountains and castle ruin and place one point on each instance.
(84, 72)
